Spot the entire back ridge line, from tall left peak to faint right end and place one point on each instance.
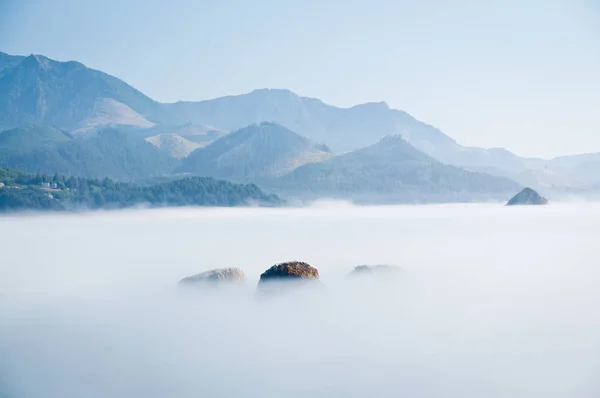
(38, 90)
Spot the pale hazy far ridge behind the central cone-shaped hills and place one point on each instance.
(342, 129)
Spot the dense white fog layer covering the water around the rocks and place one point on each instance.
(495, 302)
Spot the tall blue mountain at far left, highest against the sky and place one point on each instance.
(66, 94)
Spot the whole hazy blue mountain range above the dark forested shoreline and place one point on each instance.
(65, 117)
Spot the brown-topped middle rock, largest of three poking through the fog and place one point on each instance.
(292, 273)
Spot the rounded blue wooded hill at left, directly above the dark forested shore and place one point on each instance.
(110, 153)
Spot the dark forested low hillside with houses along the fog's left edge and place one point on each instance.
(25, 191)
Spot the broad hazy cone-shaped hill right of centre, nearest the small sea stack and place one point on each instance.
(392, 170)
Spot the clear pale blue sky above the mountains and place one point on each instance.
(524, 75)
